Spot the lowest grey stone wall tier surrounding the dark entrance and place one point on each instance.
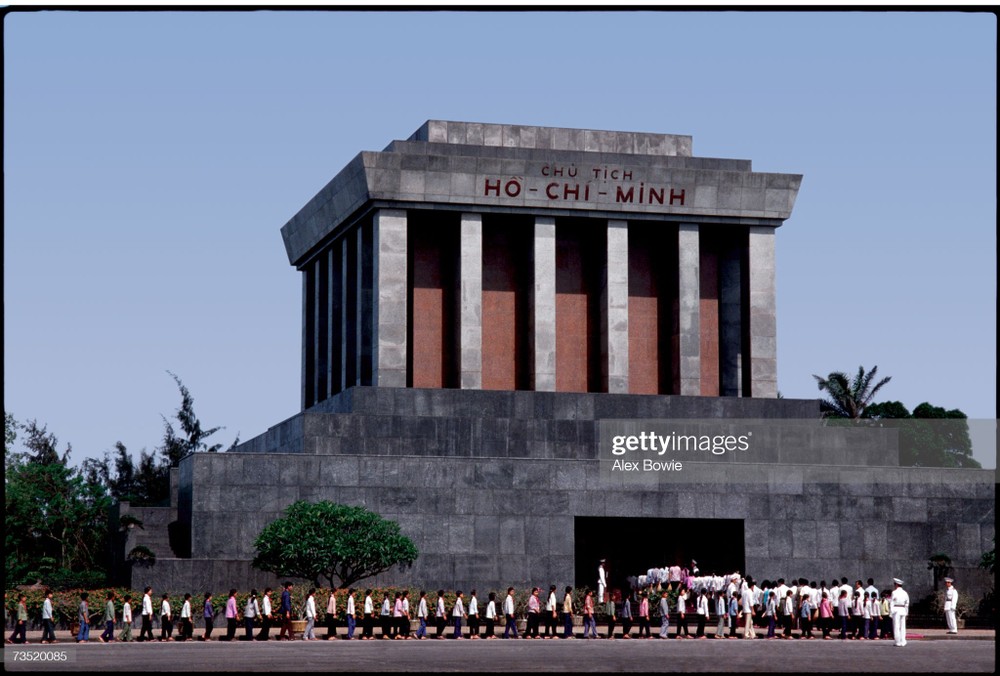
(511, 521)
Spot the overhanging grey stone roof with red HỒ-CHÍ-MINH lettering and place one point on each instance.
(468, 166)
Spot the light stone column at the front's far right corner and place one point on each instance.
(763, 322)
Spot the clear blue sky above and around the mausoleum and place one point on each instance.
(151, 158)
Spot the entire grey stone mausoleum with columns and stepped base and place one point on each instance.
(481, 301)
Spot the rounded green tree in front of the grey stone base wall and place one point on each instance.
(331, 541)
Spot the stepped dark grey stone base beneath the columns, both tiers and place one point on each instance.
(488, 485)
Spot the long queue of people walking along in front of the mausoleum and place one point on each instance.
(860, 614)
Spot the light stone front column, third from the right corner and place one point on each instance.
(614, 337)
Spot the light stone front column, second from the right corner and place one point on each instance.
(688, 302)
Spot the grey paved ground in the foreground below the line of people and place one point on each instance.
(932, 651)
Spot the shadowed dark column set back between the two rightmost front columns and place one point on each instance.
(731, 320)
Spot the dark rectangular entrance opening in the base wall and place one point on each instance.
(632, 545)
